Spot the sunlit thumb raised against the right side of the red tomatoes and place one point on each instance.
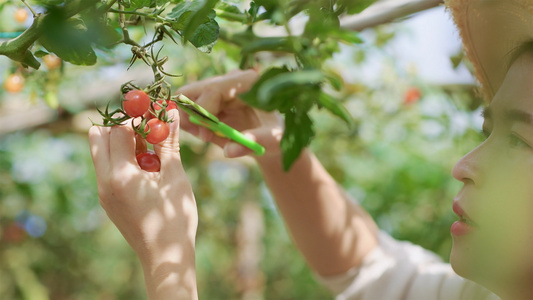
(169, 150)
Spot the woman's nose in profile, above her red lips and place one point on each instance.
(467, 169)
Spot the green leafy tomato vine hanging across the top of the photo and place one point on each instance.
(73, 29)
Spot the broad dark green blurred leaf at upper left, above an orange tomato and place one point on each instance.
(68, 39)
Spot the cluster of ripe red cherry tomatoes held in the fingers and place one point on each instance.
(153, 127)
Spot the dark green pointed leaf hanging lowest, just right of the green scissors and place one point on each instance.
(298, 134)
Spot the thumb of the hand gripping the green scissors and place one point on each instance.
(267, 137)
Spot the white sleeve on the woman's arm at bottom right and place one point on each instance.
(398, 270)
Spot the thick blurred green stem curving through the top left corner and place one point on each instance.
(17, 49)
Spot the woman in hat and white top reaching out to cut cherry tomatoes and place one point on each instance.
(492, 239)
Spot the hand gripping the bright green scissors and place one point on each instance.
(219, 95)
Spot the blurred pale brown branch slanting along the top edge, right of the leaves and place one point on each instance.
(386, 11)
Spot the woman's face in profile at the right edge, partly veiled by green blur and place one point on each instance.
(493, 239)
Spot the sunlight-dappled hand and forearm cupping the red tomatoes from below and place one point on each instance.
(155, 212)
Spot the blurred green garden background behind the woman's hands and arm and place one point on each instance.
(57, 243)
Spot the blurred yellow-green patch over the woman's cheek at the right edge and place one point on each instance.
(505, 217)
